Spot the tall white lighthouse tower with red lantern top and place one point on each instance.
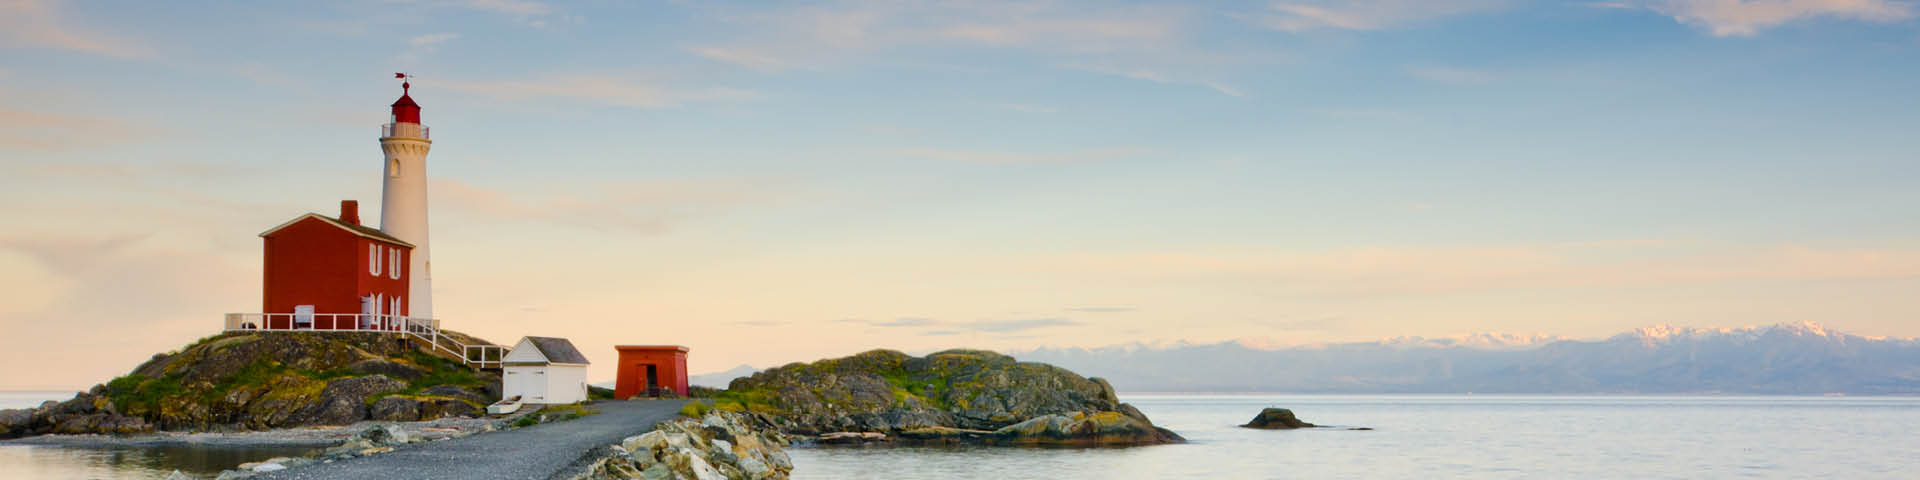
(404, 199)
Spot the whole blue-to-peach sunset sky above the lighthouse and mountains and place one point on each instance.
(786, 181)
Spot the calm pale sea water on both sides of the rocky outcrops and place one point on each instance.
(1418, 437)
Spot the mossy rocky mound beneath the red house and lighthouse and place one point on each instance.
(268, 381)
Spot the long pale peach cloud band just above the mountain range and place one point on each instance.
(1385, 270)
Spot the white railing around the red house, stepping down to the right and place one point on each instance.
(423, 329)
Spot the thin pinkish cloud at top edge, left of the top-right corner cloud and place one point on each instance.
(1360, 14)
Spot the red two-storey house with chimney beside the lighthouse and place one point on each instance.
(331, 274)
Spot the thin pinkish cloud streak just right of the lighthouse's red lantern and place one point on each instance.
(608, 89)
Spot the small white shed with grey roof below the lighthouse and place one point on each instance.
(544, 370)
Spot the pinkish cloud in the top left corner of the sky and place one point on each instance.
(37, 24)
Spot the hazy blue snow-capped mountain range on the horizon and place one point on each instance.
(1800, 358)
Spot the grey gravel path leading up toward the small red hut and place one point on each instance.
(523, 454)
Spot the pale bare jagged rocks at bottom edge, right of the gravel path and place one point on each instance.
(715, 446)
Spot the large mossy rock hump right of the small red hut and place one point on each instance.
(942, 398)
